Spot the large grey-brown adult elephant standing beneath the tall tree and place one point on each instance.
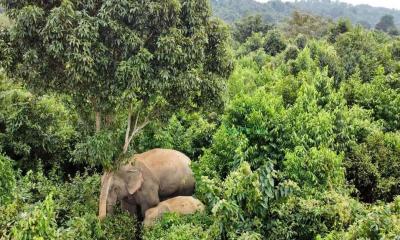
(145, 180)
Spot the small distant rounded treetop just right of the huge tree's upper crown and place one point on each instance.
(245, 27)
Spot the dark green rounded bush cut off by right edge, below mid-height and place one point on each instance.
(372, 167)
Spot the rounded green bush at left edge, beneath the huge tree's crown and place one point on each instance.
(34, 130)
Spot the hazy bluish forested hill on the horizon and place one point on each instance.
(274, 11)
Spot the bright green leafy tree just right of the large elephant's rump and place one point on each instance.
(254, 123)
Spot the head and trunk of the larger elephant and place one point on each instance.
(118, 185)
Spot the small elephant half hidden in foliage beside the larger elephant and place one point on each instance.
(182, 205)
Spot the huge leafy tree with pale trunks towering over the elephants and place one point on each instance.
(140, 58)
